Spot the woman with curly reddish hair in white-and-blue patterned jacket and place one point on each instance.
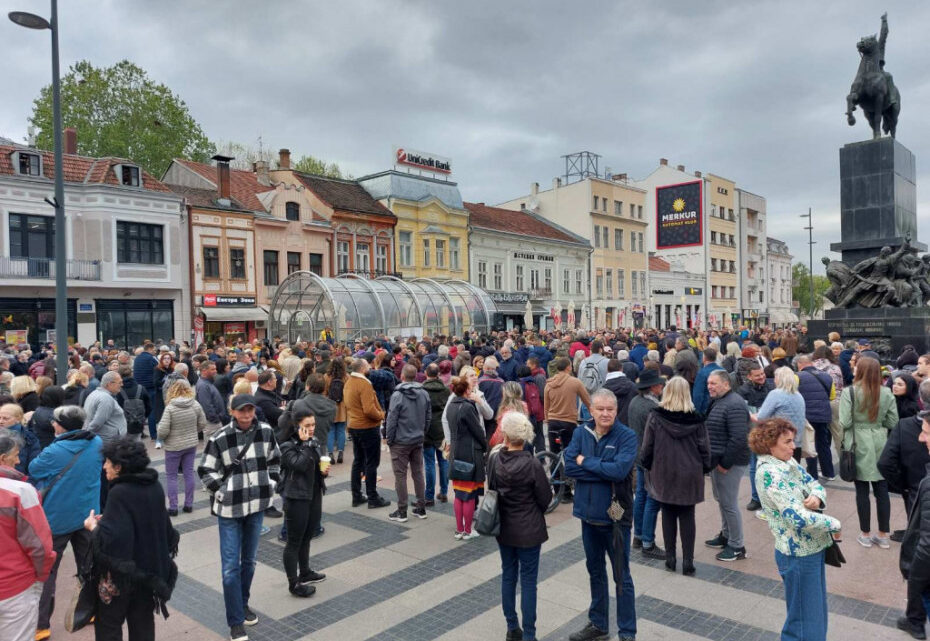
(792, 500)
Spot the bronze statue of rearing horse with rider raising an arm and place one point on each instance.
(873, 90)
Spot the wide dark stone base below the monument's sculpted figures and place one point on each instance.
(888, 328)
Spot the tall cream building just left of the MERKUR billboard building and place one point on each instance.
(610, 214)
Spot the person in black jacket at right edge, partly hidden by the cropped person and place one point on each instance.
(903, 464)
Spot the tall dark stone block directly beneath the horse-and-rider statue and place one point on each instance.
(878, 198)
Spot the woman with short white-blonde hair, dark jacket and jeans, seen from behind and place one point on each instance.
(524, 496)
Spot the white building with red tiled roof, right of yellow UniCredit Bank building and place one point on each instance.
(519, 257)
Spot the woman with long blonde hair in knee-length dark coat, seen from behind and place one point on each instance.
(676, 452)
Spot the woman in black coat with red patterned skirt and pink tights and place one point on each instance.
(468, 447)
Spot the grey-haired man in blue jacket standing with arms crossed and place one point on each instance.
(600, 458)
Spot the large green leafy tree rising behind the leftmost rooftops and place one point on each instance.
(119, 111)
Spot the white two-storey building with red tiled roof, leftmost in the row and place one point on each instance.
(126, 250)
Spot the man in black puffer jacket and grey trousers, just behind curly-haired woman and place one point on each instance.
(727, 426)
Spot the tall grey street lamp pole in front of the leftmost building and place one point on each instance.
(32, 21)
